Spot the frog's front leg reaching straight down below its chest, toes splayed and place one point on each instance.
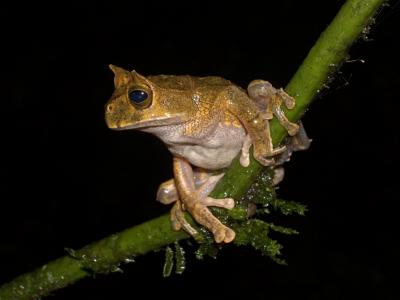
(196, 203)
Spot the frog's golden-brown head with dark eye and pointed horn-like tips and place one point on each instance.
(138, 103)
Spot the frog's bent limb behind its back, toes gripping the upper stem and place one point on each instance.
(270, 99)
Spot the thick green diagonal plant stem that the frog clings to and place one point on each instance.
(104, 256)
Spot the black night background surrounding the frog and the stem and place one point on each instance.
(67, 180)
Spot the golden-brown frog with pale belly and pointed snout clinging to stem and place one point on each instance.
(205, 122)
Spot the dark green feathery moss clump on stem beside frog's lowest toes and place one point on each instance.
(254, 230)
